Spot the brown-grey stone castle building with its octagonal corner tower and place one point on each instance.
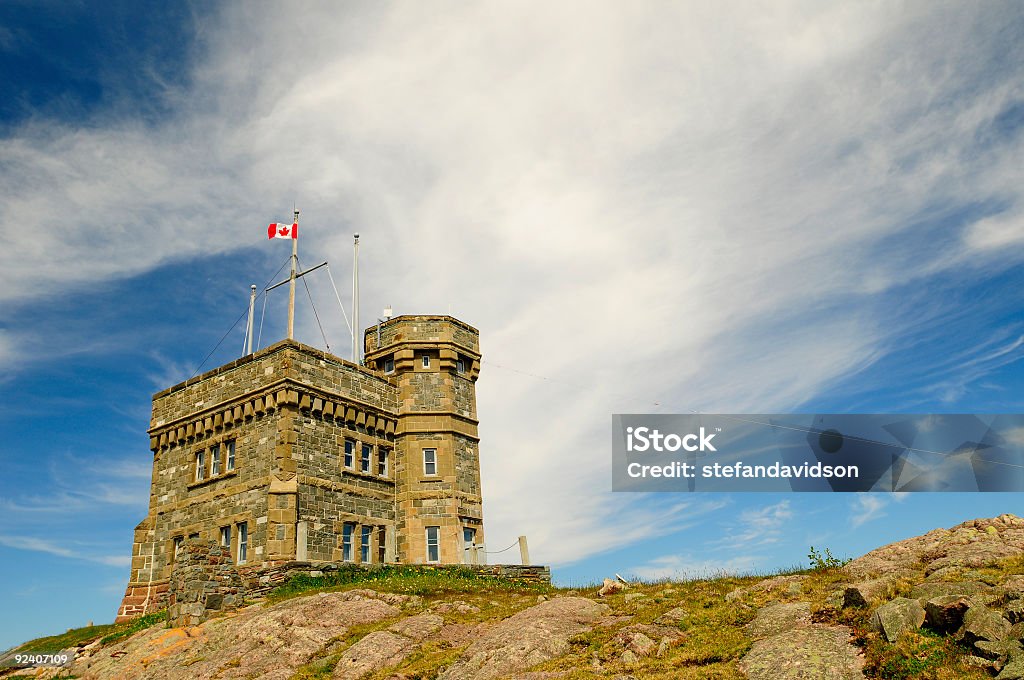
(293, 454)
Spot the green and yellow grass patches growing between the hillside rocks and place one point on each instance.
(712, 640)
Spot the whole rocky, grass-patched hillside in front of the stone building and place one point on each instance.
(948, 605)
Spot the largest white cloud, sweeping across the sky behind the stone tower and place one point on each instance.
(693, 206)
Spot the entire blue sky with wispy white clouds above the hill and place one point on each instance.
(798, 207)
